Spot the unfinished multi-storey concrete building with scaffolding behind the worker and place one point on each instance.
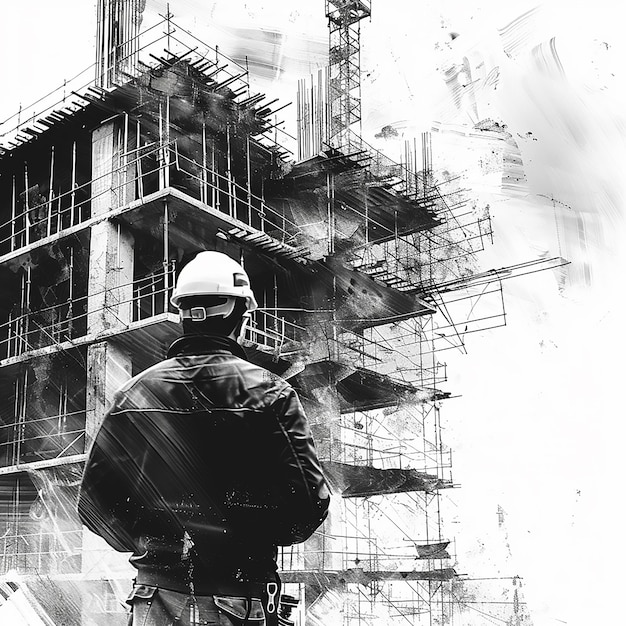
(362, 267)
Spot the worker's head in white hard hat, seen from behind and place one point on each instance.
(213, 296)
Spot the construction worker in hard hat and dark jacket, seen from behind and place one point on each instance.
(204, 465)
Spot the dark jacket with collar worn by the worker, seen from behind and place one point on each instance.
(204, 464)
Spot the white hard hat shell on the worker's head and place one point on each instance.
(213, 273)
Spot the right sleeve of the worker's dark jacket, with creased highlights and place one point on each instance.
(305, 490)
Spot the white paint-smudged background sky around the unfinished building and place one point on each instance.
(539, 427)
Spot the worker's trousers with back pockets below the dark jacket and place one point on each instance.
(153, 606)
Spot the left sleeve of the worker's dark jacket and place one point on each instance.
(104, 495)
